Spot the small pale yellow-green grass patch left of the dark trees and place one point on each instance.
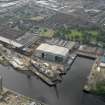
(45, 32)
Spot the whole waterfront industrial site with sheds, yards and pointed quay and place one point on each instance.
(47, 58)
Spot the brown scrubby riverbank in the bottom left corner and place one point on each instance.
(9, 97)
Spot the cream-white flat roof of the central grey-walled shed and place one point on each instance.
(53, 49)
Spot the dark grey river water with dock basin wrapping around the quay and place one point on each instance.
(69, 92)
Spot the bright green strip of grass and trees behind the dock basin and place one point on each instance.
(80, 34)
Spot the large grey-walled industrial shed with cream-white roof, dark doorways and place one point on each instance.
(52, 52)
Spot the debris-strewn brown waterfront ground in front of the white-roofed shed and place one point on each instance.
(50, 72)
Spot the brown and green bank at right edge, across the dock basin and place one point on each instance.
(95, 83)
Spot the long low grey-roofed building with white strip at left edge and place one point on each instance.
(16, 38)
